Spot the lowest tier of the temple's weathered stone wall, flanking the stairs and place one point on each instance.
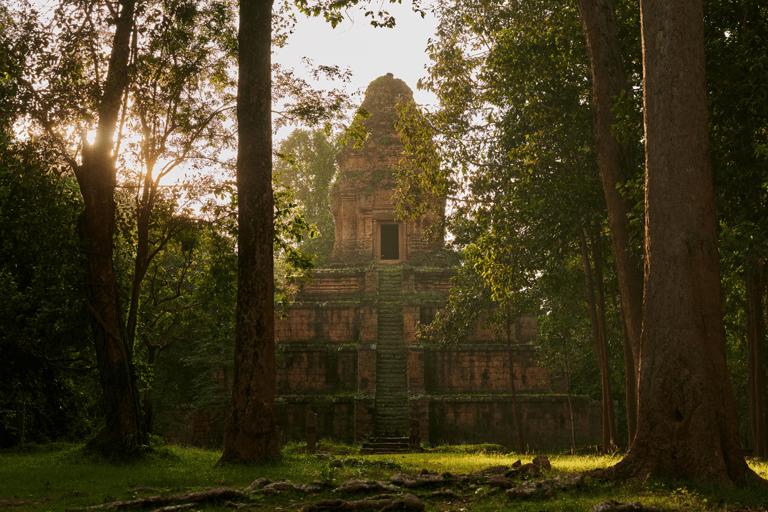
(451, 419)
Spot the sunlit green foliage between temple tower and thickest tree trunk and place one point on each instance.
(511, 148)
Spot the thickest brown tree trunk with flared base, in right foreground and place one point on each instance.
(687, 422)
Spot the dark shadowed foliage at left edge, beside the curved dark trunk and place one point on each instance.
(48, 390)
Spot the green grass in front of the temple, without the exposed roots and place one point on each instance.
(60, 477)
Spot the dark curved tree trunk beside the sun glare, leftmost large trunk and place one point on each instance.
(124, 430)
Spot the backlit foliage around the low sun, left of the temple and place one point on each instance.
(176, 113)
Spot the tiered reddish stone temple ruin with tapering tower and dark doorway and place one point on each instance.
(348, 349)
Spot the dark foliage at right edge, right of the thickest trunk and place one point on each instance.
(737, 77)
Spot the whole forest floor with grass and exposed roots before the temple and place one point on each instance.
(457, 479)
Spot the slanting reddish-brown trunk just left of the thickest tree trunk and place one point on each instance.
(616, 167)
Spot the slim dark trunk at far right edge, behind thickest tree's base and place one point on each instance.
(755, 287)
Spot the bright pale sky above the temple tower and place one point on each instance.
(367, 51)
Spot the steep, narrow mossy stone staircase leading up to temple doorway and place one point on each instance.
(391, 416)
